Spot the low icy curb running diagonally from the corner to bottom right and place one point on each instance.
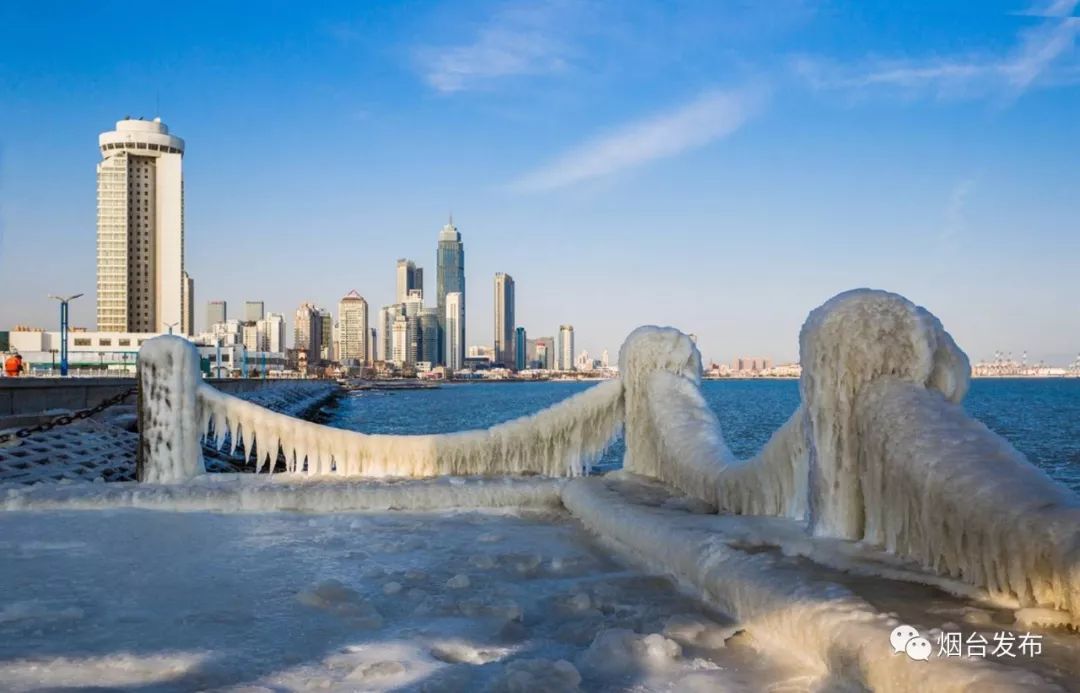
(823, 624)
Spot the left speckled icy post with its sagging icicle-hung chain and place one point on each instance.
(561, 441)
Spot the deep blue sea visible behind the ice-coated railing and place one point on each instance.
(1042, 417)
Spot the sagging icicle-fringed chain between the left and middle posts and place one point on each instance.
(561, 441)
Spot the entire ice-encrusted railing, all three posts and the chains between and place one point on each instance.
(879, 452)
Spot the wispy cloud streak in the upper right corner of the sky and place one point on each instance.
(1038, 51)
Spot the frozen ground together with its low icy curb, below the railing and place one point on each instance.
(817, 610)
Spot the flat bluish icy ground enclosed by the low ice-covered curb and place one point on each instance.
(155, 601)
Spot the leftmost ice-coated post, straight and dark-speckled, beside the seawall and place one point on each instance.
(170, 447)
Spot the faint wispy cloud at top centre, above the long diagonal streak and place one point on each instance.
(518, 40)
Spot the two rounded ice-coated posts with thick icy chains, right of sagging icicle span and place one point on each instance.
(879, 452)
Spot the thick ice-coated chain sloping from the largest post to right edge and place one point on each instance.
(941, 488)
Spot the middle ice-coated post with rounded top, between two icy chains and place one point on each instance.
(649, 350)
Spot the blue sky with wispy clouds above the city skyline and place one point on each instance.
(719, 167)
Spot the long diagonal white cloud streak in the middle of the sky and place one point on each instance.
(712, 116)
